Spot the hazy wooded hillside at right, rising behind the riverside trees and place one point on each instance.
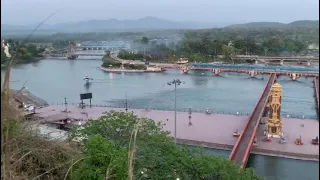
(305, 31)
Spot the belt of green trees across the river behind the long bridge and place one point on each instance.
(206, 47)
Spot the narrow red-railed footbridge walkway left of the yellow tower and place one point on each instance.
(242, 148)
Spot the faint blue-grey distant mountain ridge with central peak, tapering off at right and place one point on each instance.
(113, 24)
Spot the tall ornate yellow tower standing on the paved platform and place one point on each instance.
(274, 123)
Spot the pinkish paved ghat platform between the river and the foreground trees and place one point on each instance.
(215, 131)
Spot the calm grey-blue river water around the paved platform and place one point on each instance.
(54, 80)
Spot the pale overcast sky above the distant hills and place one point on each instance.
(21, 12)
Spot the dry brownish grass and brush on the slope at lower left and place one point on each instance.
(27, 155)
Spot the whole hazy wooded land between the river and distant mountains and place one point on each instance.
(267, 39)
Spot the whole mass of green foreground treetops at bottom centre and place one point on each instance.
(156, 156)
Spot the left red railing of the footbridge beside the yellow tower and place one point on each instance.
(236, 146)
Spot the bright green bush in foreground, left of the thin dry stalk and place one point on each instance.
(102, 159)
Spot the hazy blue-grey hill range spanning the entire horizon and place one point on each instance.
(142, 24)
